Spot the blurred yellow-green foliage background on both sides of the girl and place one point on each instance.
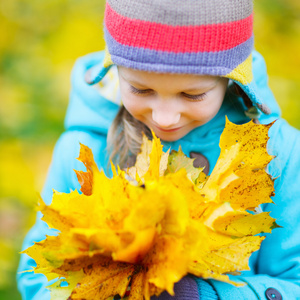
(39, 43)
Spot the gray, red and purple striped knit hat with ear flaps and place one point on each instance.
(209, 37)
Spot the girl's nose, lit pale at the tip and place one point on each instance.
(165, 117)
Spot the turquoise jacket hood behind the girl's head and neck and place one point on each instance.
(93, 107)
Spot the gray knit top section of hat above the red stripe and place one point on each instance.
(183, 12)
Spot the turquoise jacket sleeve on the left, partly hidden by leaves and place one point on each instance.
(62, 178)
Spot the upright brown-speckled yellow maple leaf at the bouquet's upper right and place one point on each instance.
(239, 174)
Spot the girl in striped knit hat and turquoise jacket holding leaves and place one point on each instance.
(178, 68)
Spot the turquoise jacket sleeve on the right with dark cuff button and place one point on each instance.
(276, 266)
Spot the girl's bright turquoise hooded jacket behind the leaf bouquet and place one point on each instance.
(277, 263)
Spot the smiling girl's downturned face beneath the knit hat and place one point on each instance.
(171, 104)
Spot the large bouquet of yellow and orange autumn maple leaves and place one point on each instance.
(152, 224)
